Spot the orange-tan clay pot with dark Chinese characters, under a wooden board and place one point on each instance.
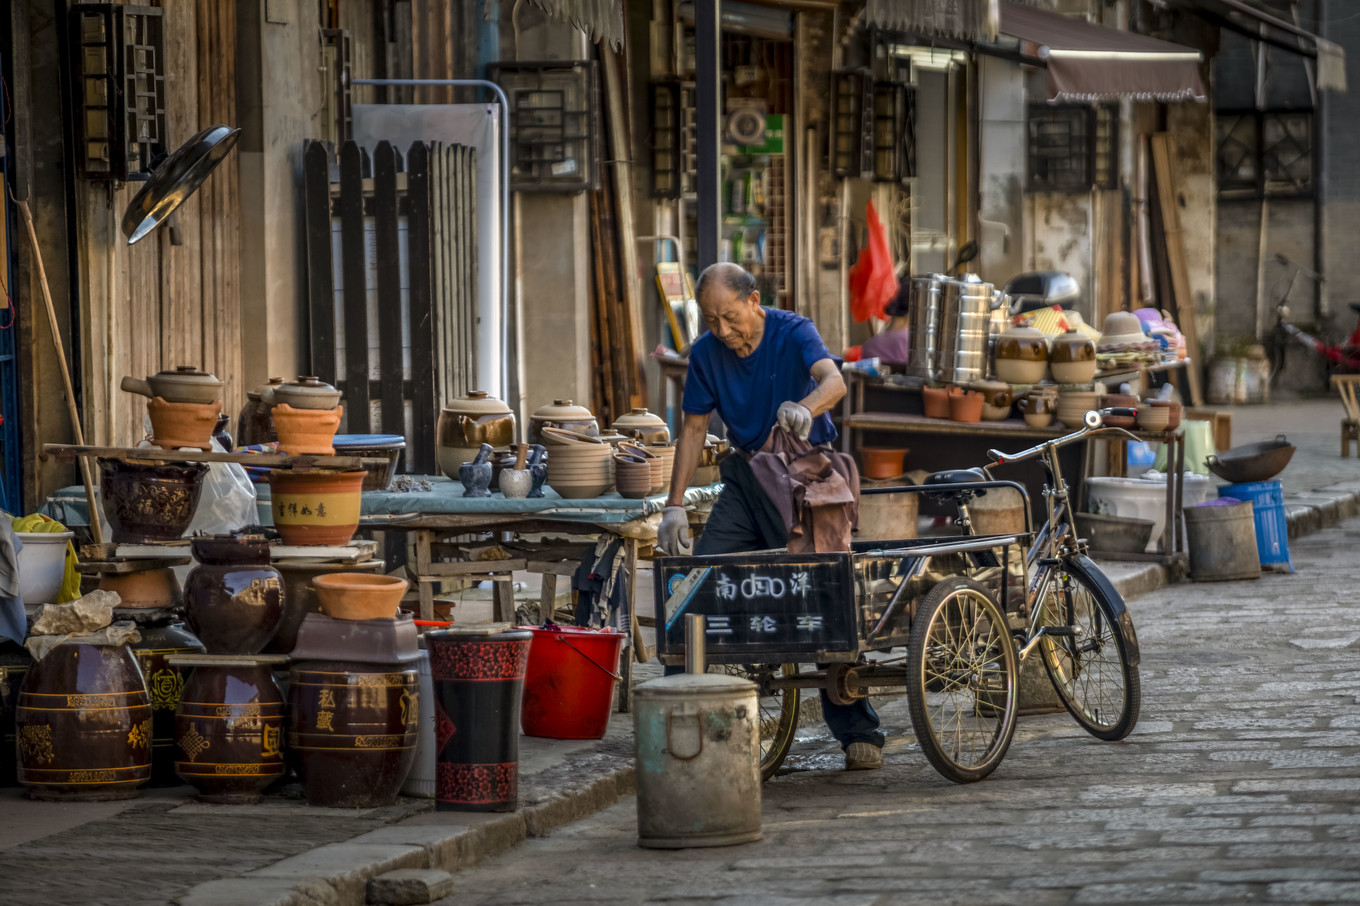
(316, 508)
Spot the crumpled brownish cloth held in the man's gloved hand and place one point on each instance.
(817, 492)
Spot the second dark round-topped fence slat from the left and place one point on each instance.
(356, 384)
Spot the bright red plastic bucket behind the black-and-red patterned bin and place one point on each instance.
(569, 684)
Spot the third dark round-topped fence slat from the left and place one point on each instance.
(388, 278)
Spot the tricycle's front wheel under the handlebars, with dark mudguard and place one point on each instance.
(1090, 669)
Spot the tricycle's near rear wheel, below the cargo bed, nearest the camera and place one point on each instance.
(962, 681)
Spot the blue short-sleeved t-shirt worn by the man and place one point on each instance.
(747, 392)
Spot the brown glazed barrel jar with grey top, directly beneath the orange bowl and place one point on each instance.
(354, 719)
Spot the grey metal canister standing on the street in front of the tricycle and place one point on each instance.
(698, 761)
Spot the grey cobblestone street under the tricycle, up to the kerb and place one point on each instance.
(1241, 784)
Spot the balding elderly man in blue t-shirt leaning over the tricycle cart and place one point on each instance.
(757, 368)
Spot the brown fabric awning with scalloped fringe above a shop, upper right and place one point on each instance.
(1095, 63)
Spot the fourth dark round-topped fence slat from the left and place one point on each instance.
(425, 406)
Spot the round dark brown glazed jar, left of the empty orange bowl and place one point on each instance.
(235, 598)
